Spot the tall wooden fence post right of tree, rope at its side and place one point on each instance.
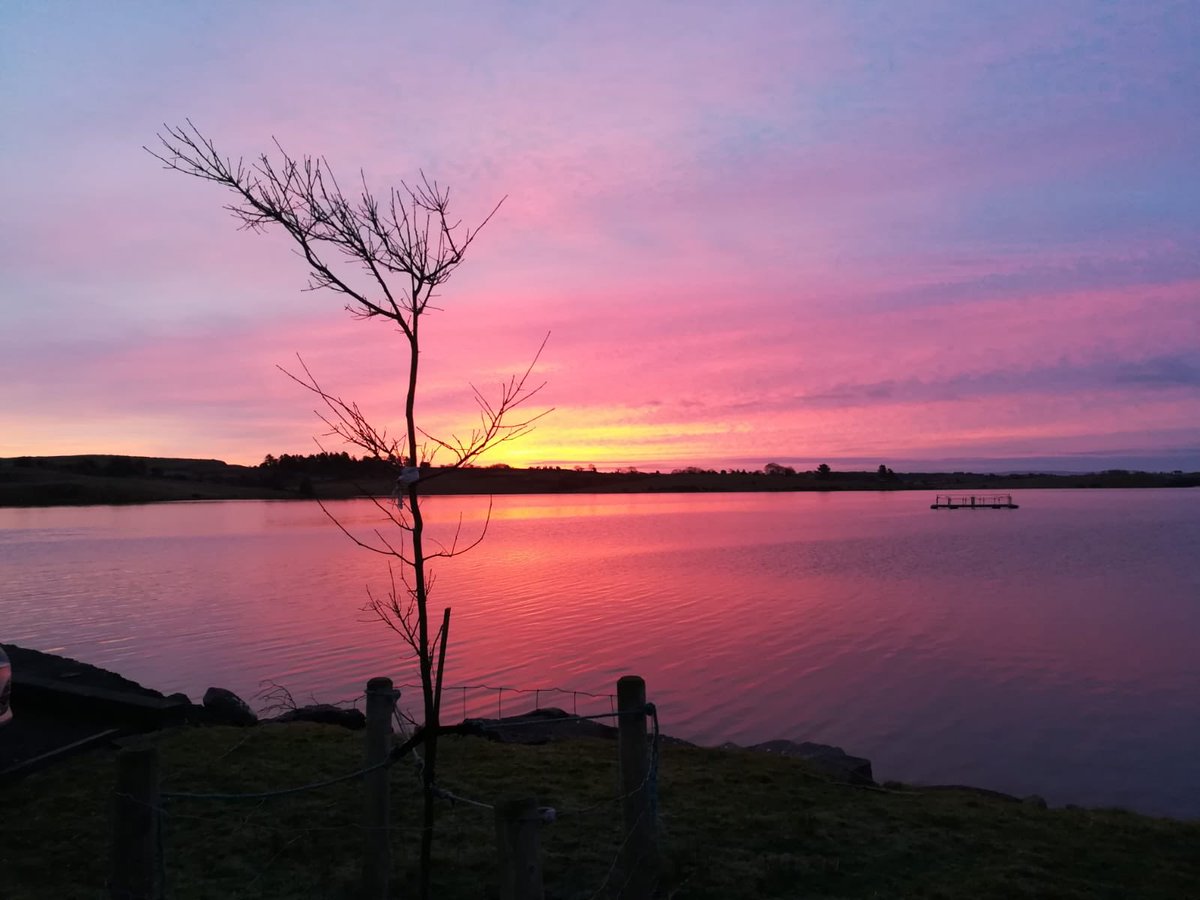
(639, 860)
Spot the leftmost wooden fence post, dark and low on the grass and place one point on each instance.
(137, 854)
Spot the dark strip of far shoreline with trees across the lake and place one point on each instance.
(124, 481)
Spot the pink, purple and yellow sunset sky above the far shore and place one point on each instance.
(959, 235)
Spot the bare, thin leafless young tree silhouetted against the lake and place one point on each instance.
(387, 257)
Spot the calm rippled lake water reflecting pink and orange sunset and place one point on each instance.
(1049, 650)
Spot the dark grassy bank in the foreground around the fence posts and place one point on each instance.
(734, 825)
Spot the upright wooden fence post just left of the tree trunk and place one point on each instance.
(377, 847)
